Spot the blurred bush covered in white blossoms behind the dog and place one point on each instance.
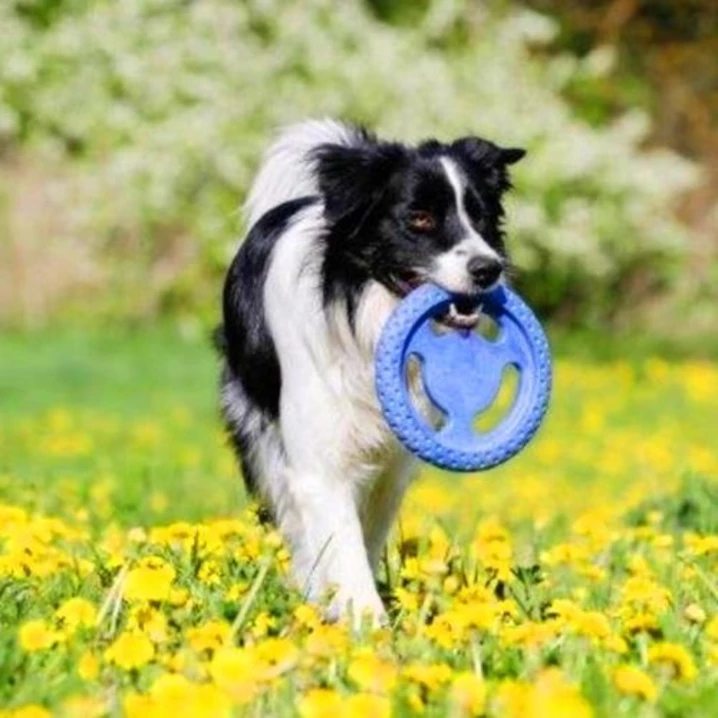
(156, 112)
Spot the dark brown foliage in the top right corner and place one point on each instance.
(670, 45)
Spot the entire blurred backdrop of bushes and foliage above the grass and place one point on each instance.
(129, 132)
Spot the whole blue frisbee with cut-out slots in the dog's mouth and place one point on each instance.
(461, 374)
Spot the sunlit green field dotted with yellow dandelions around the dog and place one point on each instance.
(577, 580)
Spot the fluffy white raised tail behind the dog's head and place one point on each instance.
(286, 171)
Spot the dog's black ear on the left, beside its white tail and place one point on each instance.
(352, 179)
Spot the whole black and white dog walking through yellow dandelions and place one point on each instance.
(342, 226)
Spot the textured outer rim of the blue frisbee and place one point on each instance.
(514, 317)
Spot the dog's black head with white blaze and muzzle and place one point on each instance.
(411, 215)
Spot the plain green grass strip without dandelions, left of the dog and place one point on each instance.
(122, 370)
